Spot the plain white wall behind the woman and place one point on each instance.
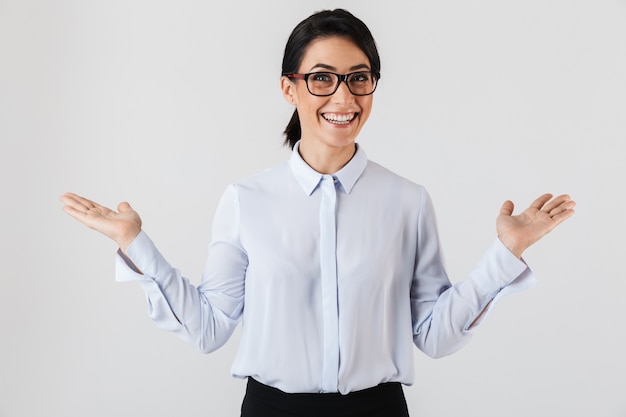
(164, 103)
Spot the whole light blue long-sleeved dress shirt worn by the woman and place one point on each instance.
(334, 278)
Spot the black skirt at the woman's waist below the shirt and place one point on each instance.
(384, 400)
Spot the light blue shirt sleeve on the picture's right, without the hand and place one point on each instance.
(442, 313)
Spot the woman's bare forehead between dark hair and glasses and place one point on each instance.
(336, 52)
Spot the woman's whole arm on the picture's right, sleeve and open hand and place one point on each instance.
(444, 315)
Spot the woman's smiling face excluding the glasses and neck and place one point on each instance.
(333, 121)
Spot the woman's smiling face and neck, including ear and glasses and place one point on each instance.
(329, 113)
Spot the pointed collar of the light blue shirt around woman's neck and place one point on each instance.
(347, 176)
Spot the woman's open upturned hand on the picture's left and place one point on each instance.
(122, 225)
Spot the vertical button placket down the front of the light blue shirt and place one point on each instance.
(328, 265)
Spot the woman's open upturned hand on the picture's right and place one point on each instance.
(519, 232)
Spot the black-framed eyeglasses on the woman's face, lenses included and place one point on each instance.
(322, 84)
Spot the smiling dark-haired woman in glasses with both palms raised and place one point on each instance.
(331, 261)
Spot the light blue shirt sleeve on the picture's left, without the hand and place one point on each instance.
(206, 315)
